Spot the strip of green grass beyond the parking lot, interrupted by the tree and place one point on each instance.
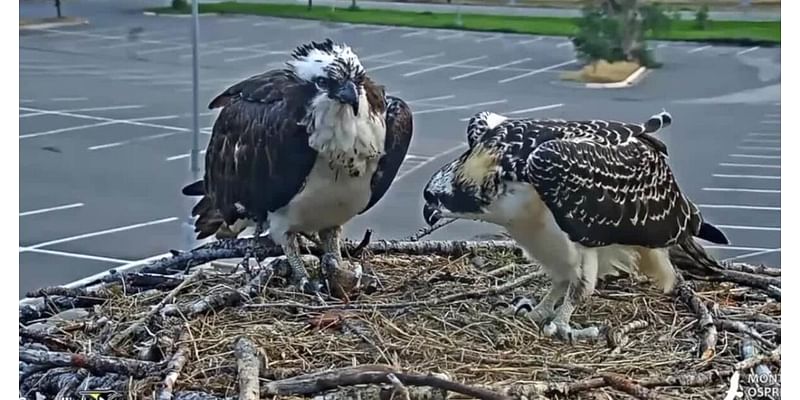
(745, 32)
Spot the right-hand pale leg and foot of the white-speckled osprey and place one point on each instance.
(579, 290)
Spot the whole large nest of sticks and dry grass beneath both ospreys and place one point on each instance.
(396, 320)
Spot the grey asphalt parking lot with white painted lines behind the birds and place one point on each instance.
(105, 125)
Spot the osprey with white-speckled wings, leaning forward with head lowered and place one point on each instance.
(583, 198)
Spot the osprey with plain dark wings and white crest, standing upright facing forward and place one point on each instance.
(303, 149)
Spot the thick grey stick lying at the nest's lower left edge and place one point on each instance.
(95, 363)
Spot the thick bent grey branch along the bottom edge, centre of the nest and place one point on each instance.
(369, 374)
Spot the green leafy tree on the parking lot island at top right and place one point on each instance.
(615, 30)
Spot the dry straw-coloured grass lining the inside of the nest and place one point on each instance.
(465, 340)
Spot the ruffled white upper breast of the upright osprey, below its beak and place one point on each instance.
(348, 142)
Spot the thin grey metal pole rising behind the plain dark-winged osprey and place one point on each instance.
(194, 154)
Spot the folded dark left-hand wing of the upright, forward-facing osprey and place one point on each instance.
(258, 155)
